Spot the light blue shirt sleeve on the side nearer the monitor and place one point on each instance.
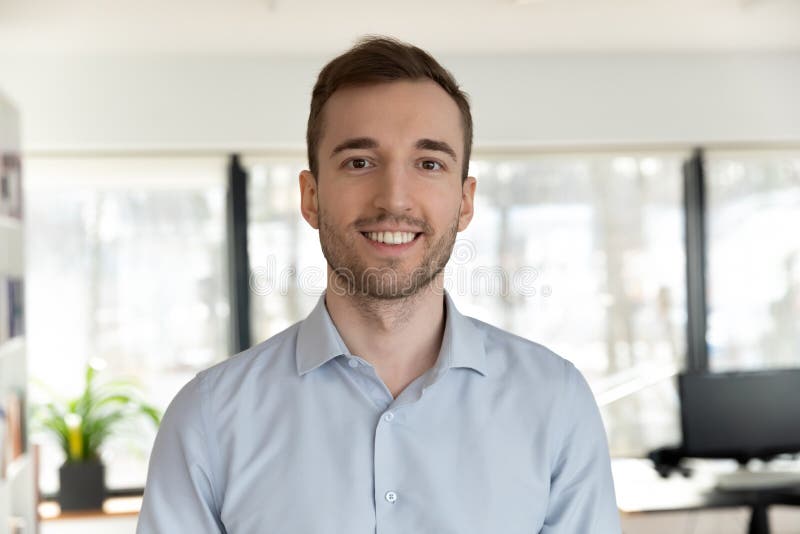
(582, 498)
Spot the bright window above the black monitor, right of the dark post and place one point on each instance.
(753, 260)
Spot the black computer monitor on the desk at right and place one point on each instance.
(740, 415)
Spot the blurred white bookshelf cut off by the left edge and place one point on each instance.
(17, 486)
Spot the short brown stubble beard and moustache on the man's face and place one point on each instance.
(353, 277)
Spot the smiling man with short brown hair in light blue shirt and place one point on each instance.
(385, 410)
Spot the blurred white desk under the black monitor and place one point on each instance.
(640, 489)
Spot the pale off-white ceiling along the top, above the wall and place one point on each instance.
(310, 27)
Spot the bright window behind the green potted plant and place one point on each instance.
(125, 262)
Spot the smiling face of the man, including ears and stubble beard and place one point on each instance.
(389, 198)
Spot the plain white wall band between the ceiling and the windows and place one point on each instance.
(244, 102)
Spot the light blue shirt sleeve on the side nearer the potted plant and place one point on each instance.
(179, 493)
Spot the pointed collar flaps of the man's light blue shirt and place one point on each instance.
(318, 341)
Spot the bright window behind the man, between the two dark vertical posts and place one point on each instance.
(582, 253)
